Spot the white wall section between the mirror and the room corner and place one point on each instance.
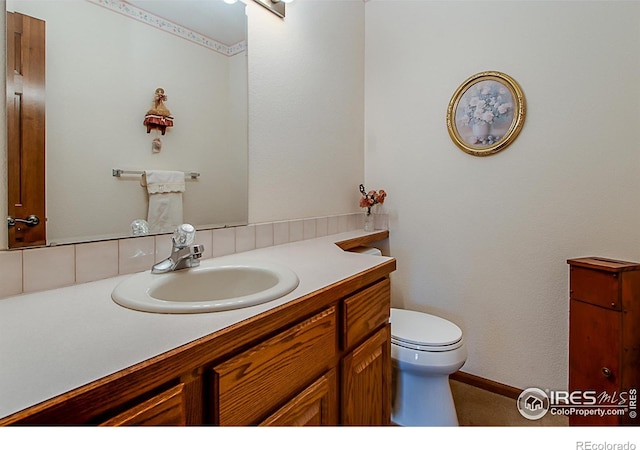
(306, 113)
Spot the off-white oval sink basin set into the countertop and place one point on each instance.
(211, 287)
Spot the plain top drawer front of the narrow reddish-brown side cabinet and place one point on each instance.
(596, 287)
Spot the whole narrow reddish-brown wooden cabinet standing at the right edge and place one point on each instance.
(604, 340)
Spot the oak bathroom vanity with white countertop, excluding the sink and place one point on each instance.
(320, 355)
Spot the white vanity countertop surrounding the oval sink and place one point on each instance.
(54, 341)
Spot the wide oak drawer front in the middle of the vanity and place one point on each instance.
(252, 384)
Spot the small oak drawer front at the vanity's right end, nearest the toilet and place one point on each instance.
(365, 312)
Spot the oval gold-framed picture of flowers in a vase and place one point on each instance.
(486, 113)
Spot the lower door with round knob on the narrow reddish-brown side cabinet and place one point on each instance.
(594, 355)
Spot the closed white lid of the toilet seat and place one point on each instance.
(423, 329)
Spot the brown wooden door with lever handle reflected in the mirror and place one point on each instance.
(26, 130)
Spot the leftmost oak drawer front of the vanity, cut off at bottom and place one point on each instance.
(167, 408)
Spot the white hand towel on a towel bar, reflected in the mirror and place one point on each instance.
(165, 190)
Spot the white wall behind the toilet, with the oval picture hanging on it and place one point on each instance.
(484, 241)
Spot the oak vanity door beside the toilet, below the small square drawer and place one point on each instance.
(366, 382)
